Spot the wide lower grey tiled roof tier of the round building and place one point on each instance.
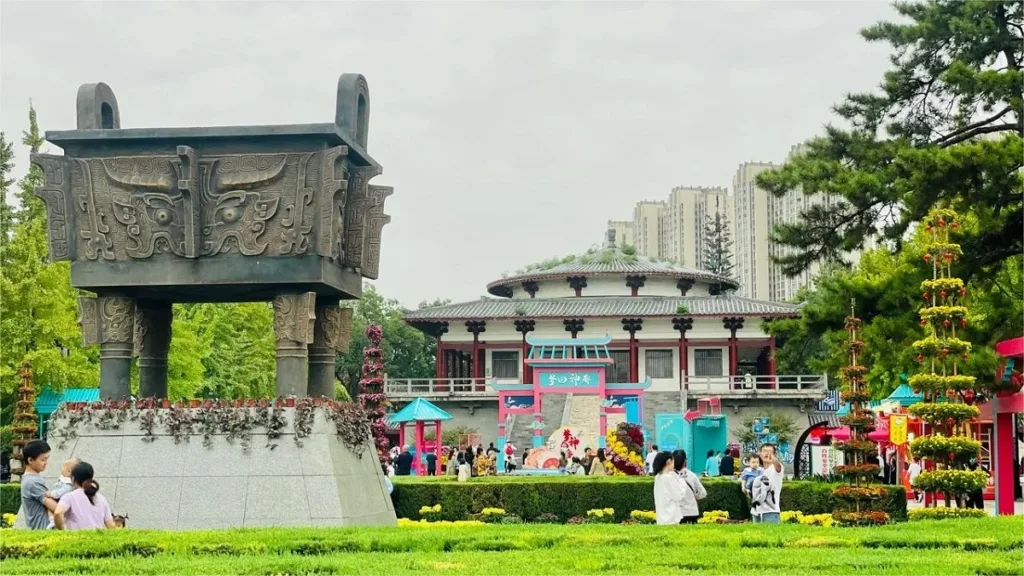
(598, 307)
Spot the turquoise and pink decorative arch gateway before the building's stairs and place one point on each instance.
(576, 366)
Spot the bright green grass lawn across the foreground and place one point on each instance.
(987, 547)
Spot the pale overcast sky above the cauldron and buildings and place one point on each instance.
(510, 132)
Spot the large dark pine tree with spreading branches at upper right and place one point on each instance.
(946, 130)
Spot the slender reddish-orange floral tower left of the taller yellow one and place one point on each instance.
(860, 496)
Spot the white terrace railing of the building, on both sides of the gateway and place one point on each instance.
(728, 386)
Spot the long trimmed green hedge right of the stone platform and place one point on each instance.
(571, 497)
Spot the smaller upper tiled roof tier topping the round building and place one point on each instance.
(611, 262)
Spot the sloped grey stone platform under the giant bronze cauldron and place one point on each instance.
(163, 485)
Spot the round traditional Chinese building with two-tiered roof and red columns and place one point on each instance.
(682, 328)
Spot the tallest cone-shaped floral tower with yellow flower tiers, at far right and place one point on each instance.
(949, 394)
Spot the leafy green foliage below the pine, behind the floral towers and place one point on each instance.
(885, 286)
